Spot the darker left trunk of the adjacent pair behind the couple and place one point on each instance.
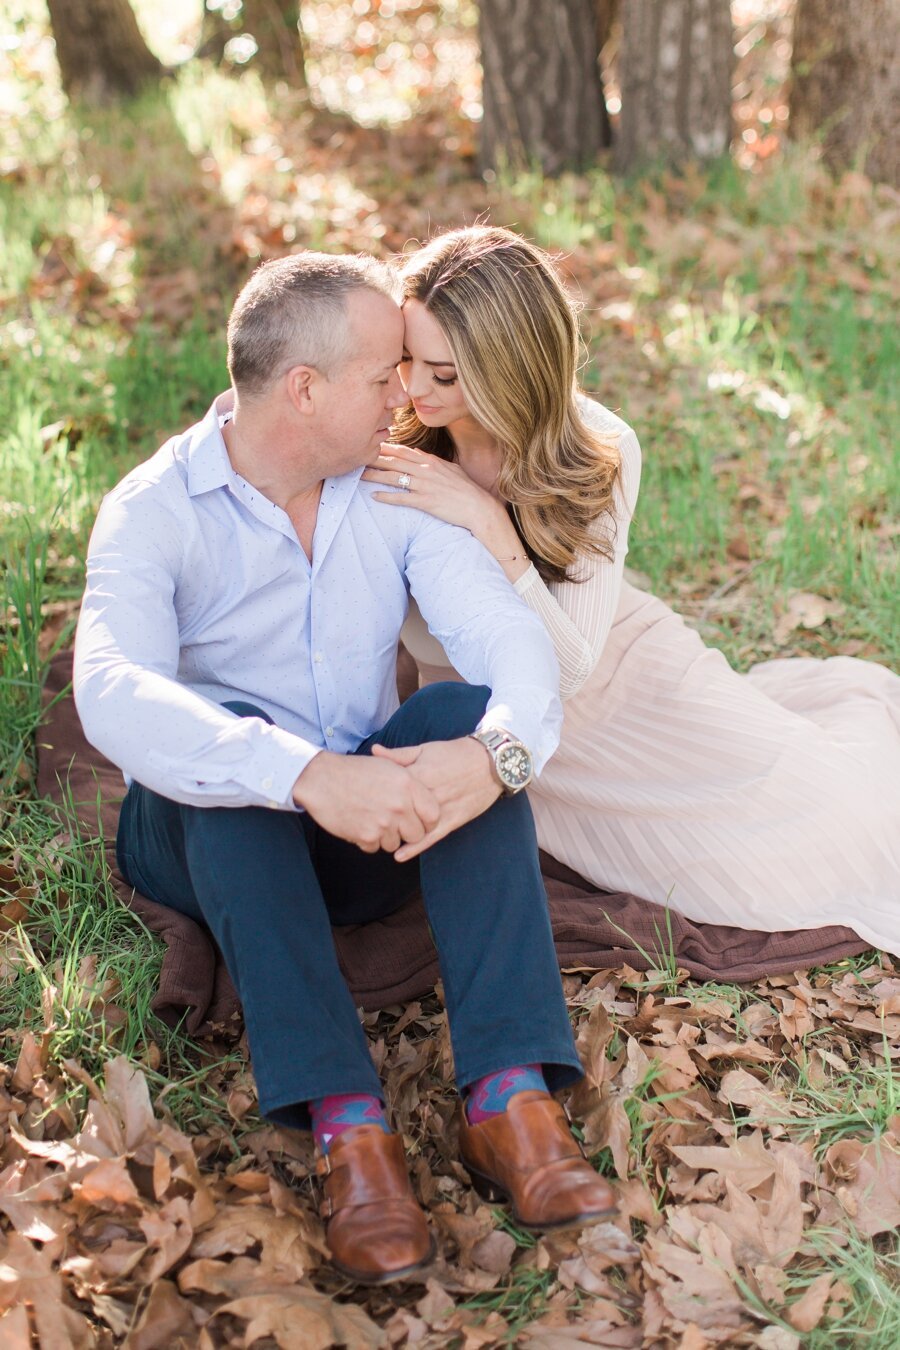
(543, 94)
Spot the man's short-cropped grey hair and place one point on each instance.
(293, 313)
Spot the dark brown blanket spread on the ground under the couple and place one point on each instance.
(393, 961)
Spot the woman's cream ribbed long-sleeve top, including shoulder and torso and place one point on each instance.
(577, 615)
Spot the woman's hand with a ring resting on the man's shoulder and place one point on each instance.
(437, 487)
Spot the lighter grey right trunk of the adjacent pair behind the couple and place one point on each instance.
(677, 65)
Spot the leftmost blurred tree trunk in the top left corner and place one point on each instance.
(101, 49)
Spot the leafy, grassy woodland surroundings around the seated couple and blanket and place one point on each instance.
(720, 186)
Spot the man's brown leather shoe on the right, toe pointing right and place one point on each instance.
(530, 1158)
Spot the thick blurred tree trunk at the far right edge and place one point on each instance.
(847, 83)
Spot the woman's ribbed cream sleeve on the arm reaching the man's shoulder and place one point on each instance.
(580, 615)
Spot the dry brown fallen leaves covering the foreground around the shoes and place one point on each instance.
(754, 1137)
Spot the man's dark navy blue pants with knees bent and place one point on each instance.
(269, 885)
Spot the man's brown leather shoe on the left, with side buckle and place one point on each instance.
(376, 1231)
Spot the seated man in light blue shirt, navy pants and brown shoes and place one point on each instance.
(237, 657)
